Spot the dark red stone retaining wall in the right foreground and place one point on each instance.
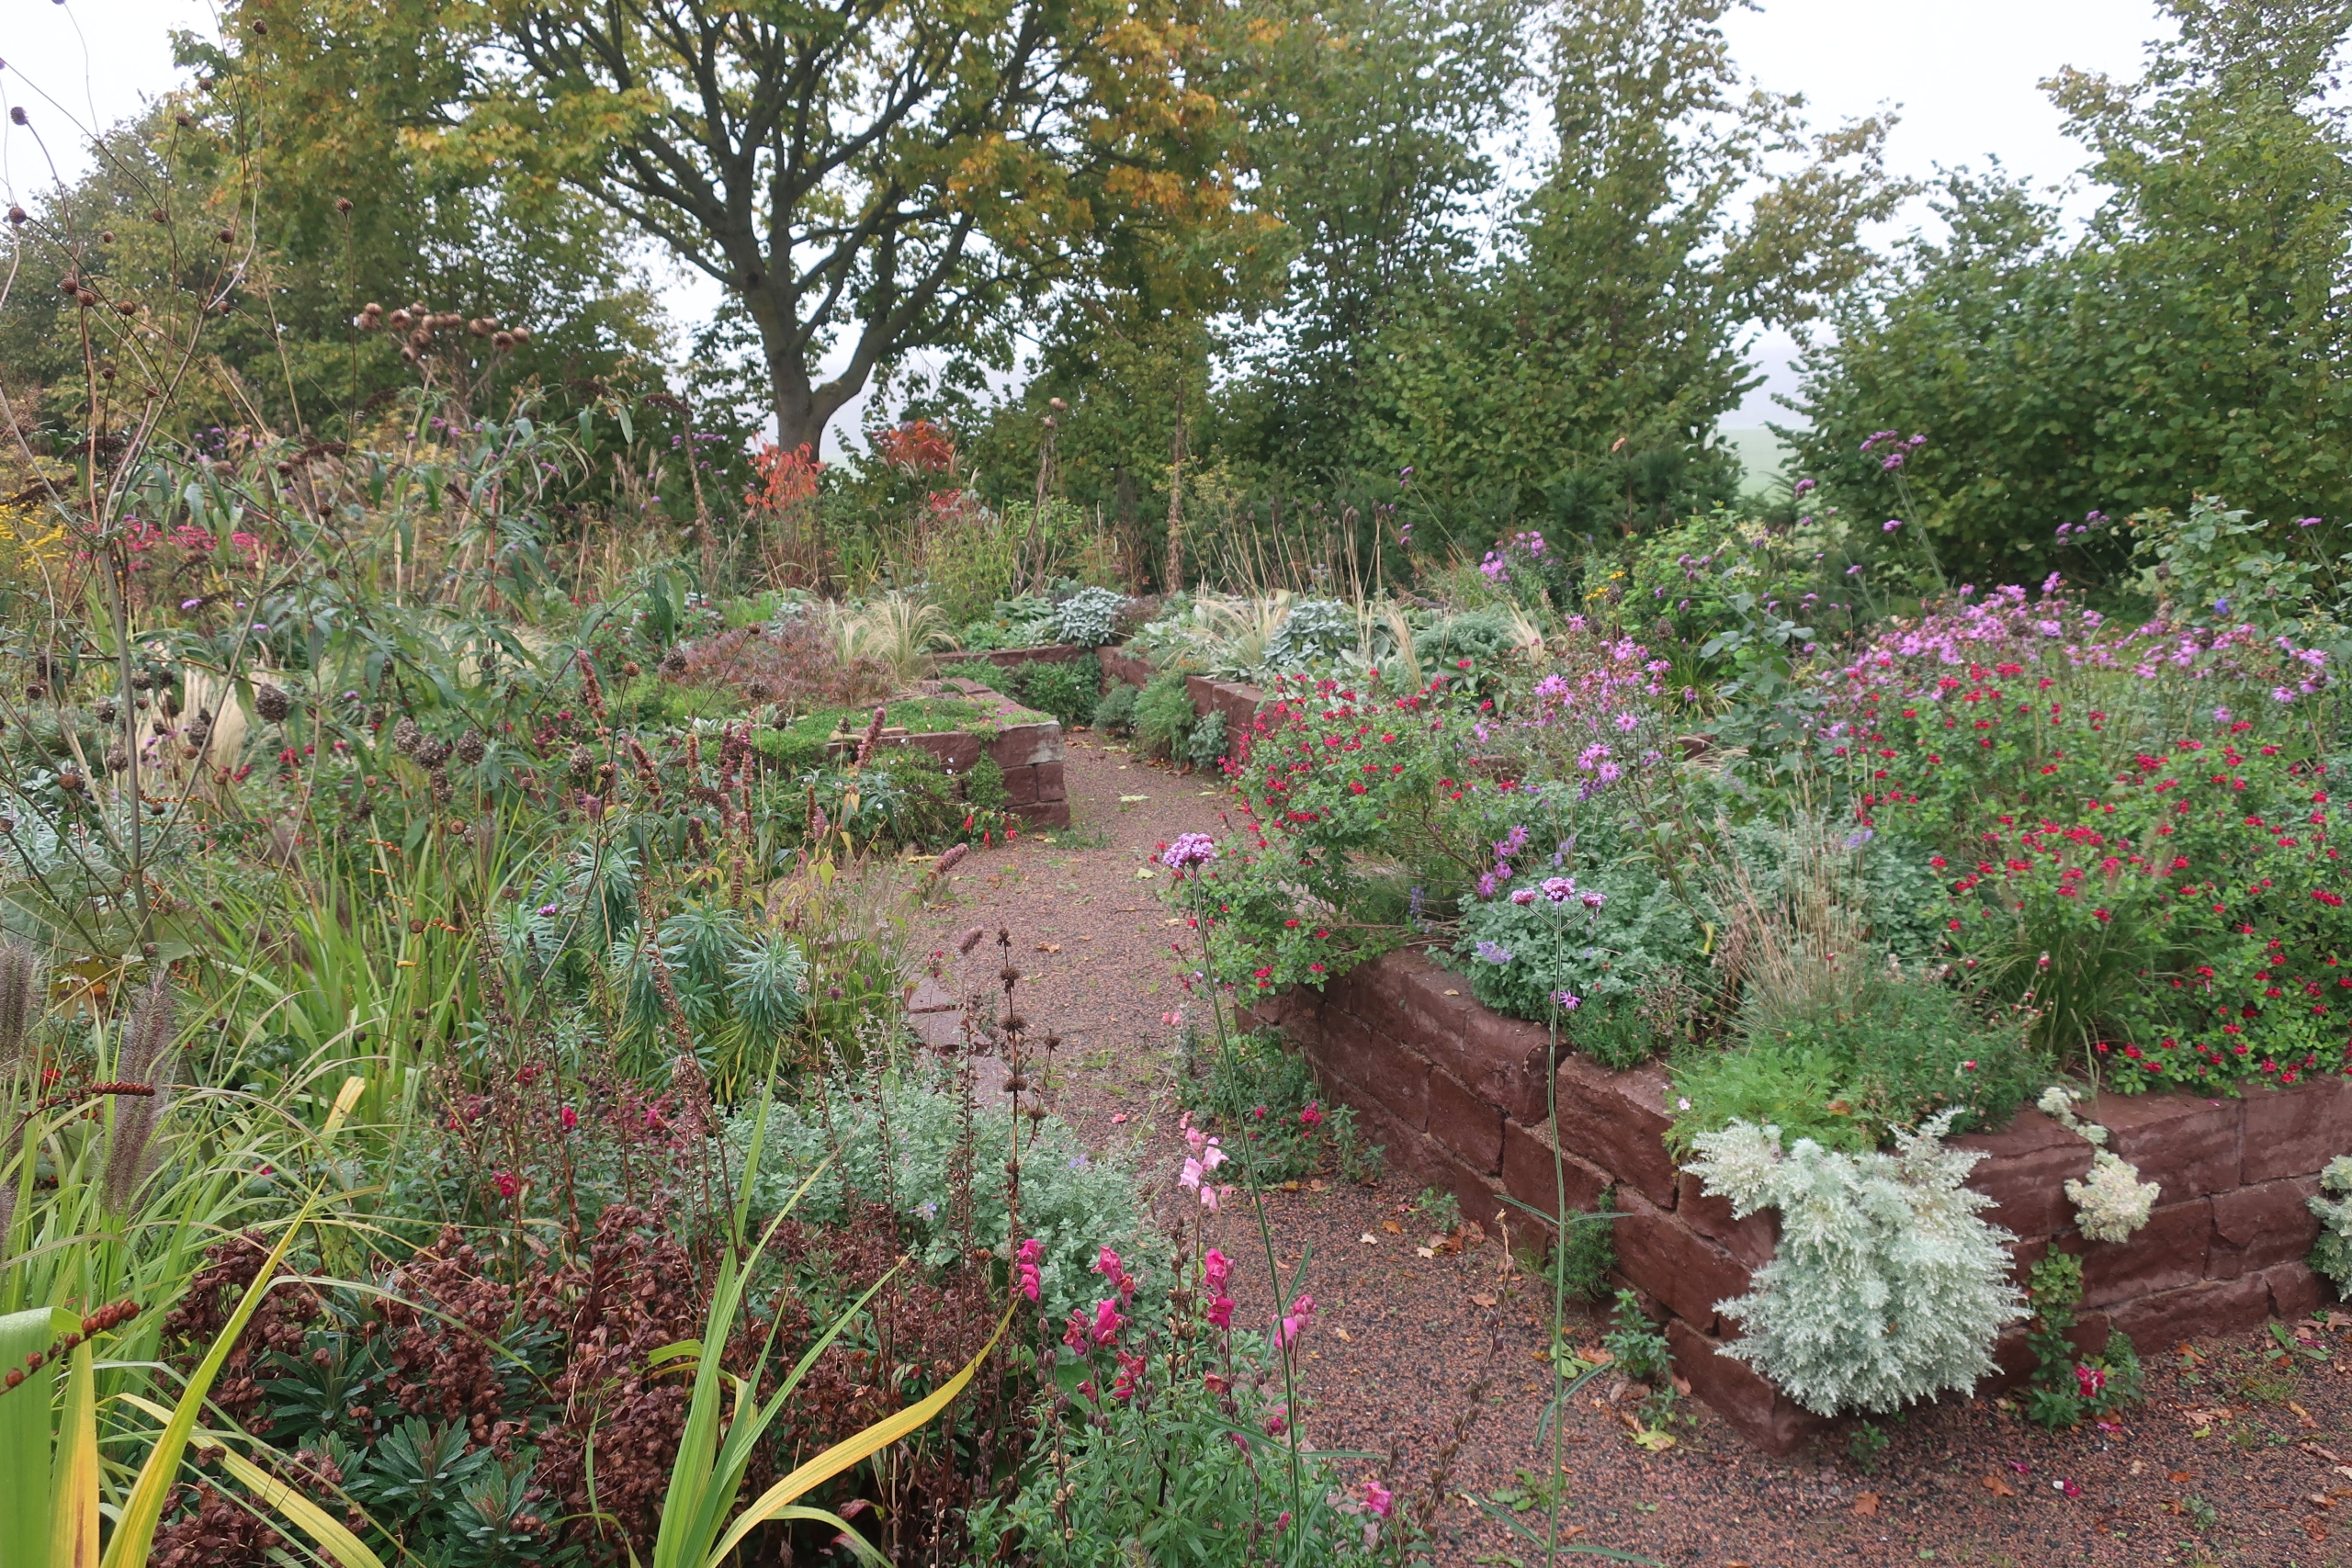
(1457, 1094)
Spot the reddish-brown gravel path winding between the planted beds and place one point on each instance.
(1431, 1360)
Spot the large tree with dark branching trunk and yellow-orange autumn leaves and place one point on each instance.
(871, 177)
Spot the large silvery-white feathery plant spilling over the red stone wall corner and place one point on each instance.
(1887, 1285)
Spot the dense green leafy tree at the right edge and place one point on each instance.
(2181, 344)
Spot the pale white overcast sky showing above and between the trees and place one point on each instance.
(1960, 76)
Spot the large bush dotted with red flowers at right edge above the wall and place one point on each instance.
(2137, 831)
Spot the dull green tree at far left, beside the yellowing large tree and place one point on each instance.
(274, 196)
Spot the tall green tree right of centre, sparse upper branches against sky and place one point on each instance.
(1584, 373)
